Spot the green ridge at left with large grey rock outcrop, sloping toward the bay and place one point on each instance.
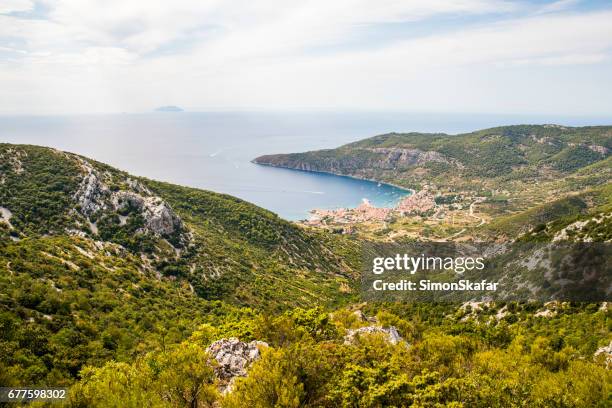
(224, 247)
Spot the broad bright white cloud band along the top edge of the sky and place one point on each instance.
(143, 26)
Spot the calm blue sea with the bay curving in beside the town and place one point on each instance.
(213, 150)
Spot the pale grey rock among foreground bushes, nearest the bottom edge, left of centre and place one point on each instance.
(234, 357)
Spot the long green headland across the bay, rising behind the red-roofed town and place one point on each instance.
(482, 159)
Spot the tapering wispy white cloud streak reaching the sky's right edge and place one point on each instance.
(523, 39)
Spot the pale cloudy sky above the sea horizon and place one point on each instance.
(480, 56)
